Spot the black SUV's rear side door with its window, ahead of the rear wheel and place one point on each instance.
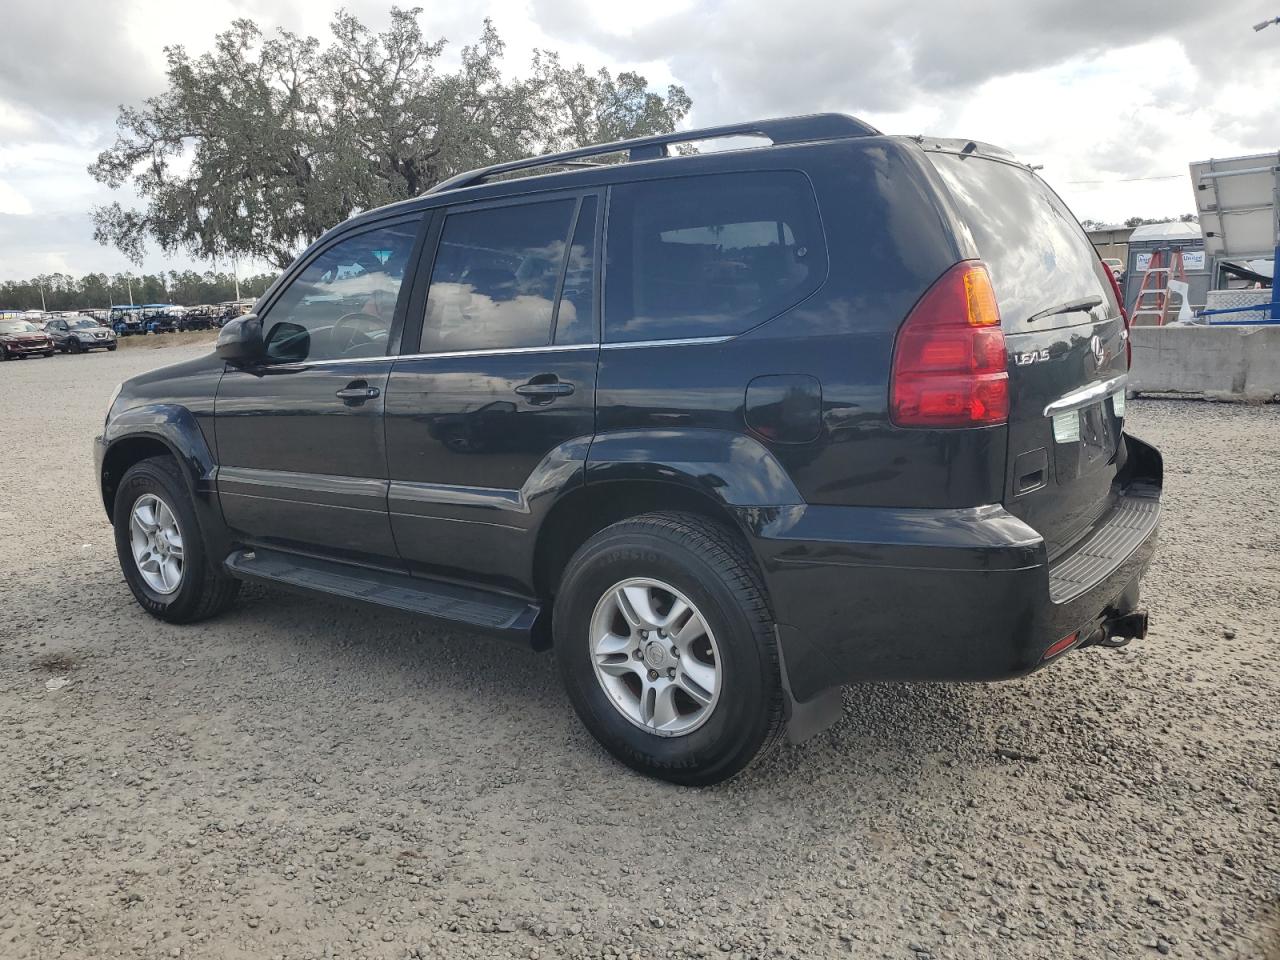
(496, 410)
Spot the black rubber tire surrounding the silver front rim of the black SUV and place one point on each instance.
(200, 592)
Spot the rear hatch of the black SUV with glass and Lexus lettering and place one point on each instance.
(1066, 339)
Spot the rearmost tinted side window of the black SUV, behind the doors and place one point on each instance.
(710, 257)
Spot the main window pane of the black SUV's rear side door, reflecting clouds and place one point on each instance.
(495, 280)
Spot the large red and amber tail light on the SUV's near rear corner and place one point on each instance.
(949, 362)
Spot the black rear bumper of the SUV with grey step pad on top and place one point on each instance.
(950, 595)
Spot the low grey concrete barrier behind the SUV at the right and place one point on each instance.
(1224, 363)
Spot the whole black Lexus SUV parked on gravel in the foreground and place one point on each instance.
(724, 431)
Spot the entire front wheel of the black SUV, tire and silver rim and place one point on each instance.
(162, 548)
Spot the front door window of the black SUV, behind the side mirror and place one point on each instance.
(344, 303)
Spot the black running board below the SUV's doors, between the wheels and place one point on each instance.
(490, 611)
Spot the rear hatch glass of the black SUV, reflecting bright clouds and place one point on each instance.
(1036, 252)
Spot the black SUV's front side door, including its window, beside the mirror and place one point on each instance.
(303, 464)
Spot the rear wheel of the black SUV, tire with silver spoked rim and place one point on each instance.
(712, 570)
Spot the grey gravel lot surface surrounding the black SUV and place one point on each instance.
(299, 780)
